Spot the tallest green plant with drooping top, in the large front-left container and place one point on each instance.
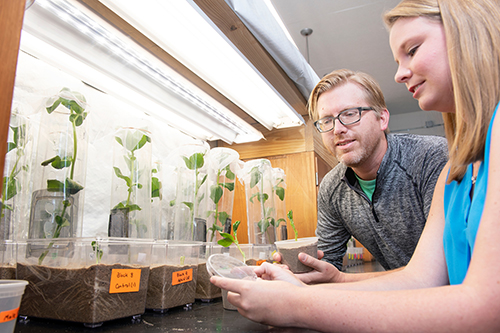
(69, 187)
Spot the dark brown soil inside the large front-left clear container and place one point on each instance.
(79, 294)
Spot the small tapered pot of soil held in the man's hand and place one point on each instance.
(290, 249)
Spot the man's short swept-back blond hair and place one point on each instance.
(371, 88)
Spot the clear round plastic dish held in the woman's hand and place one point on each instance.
(229, 267)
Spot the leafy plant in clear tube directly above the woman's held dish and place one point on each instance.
(216, 193)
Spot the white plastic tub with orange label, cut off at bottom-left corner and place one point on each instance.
(11, 292)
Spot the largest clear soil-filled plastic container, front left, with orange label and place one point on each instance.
(84, 280)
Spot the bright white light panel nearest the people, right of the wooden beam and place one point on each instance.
(183, 30)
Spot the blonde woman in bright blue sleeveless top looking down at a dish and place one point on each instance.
(448, 52)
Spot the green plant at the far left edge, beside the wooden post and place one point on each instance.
(11, 185)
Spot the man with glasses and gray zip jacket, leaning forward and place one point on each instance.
(381, 191)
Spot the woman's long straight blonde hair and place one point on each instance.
(472, 30)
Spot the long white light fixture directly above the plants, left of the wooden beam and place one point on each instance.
(113, 63)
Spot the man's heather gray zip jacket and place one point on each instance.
(390, 225)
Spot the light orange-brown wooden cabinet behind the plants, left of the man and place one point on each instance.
(301, 154)
